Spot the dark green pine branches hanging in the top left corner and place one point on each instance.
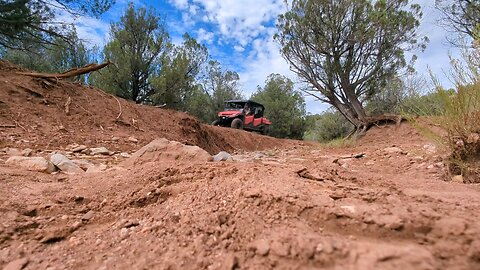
(24, 24)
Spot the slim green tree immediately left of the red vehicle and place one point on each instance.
(220, 85)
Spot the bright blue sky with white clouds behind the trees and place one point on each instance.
(239, 34)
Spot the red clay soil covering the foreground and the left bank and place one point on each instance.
(299, 206)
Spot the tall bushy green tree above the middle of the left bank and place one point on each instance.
(138, 44)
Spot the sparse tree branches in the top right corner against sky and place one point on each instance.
(462, 17)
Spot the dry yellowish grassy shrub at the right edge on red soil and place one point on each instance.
(461, 117)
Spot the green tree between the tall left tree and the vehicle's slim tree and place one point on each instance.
(176, 83)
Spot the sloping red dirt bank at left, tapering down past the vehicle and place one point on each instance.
(41, 114)
